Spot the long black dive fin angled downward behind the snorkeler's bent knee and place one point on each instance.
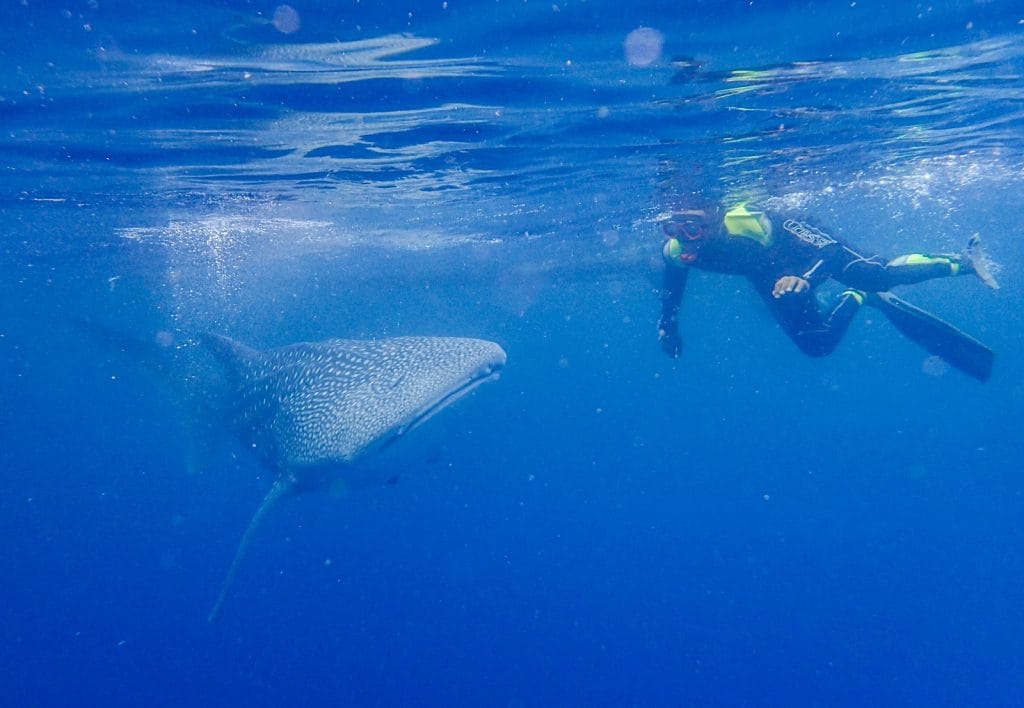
(937, 337)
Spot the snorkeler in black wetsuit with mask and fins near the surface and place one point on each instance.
(786, 259)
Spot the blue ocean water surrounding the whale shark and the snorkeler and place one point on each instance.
(604, 526)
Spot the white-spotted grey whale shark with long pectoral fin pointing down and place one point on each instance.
(316, 412)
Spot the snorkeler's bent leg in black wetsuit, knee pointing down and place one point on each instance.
(817, 335)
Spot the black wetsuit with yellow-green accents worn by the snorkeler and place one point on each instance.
(793, 246)
